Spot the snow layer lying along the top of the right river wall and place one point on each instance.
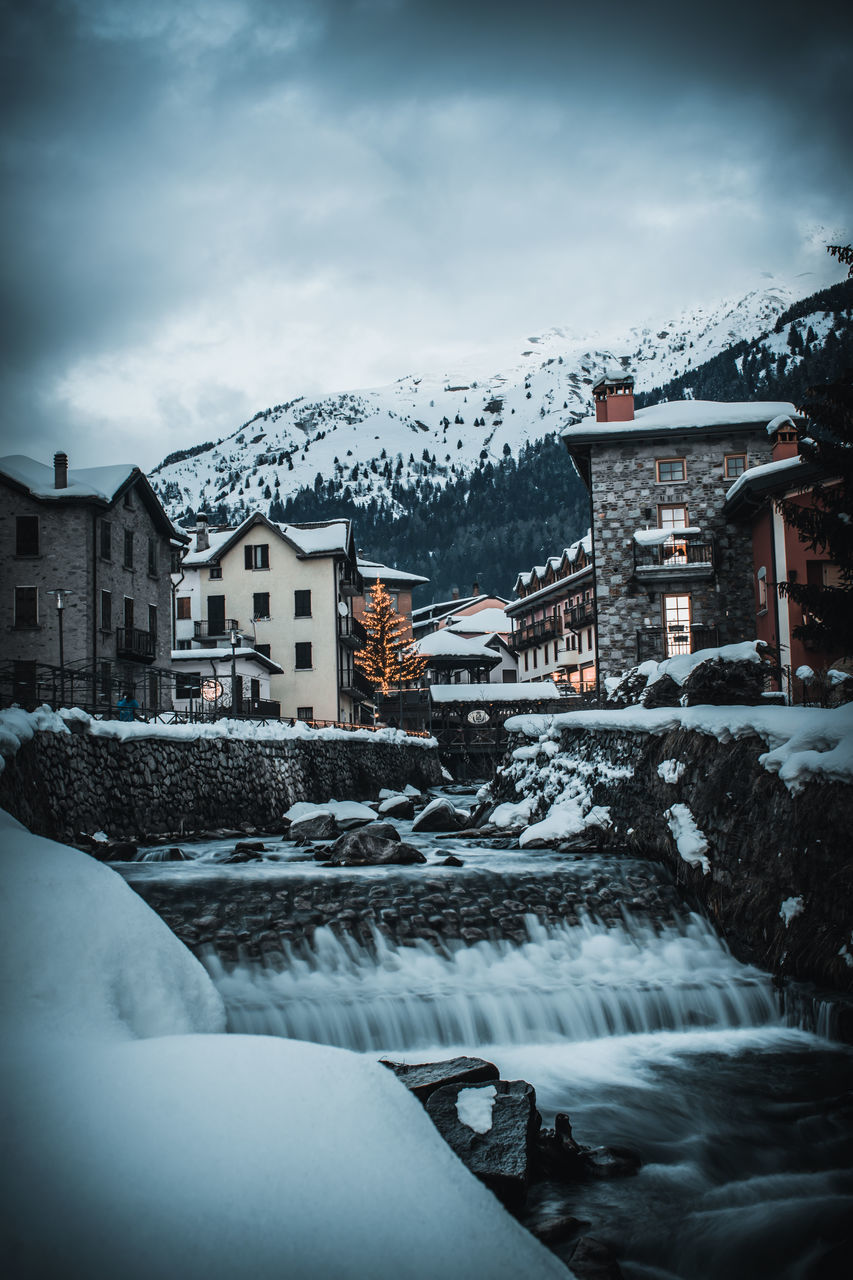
(805, 743)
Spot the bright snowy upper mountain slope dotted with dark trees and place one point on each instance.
(443, 427)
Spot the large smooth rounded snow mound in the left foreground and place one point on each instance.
(144, 1145)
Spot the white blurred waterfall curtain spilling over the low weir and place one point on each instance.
(565, 984)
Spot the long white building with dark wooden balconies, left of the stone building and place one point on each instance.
(555, 620)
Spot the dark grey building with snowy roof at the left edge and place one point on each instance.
(85, 589)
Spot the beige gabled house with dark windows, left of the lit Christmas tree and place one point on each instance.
(286, 592)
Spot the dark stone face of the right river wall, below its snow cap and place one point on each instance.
(767, 847)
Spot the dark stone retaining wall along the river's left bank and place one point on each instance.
(61, 785)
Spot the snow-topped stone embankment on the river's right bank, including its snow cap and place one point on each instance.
(750, 807)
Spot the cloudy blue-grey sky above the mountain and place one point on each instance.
(218, 205)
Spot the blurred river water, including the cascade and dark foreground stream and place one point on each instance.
(646, 1031)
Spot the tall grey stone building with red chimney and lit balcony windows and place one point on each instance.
(672, 573)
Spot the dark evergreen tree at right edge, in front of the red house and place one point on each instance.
(828, 524)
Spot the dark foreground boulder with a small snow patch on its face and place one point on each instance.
(501, 1156)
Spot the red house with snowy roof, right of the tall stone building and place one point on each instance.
(781, 555)
